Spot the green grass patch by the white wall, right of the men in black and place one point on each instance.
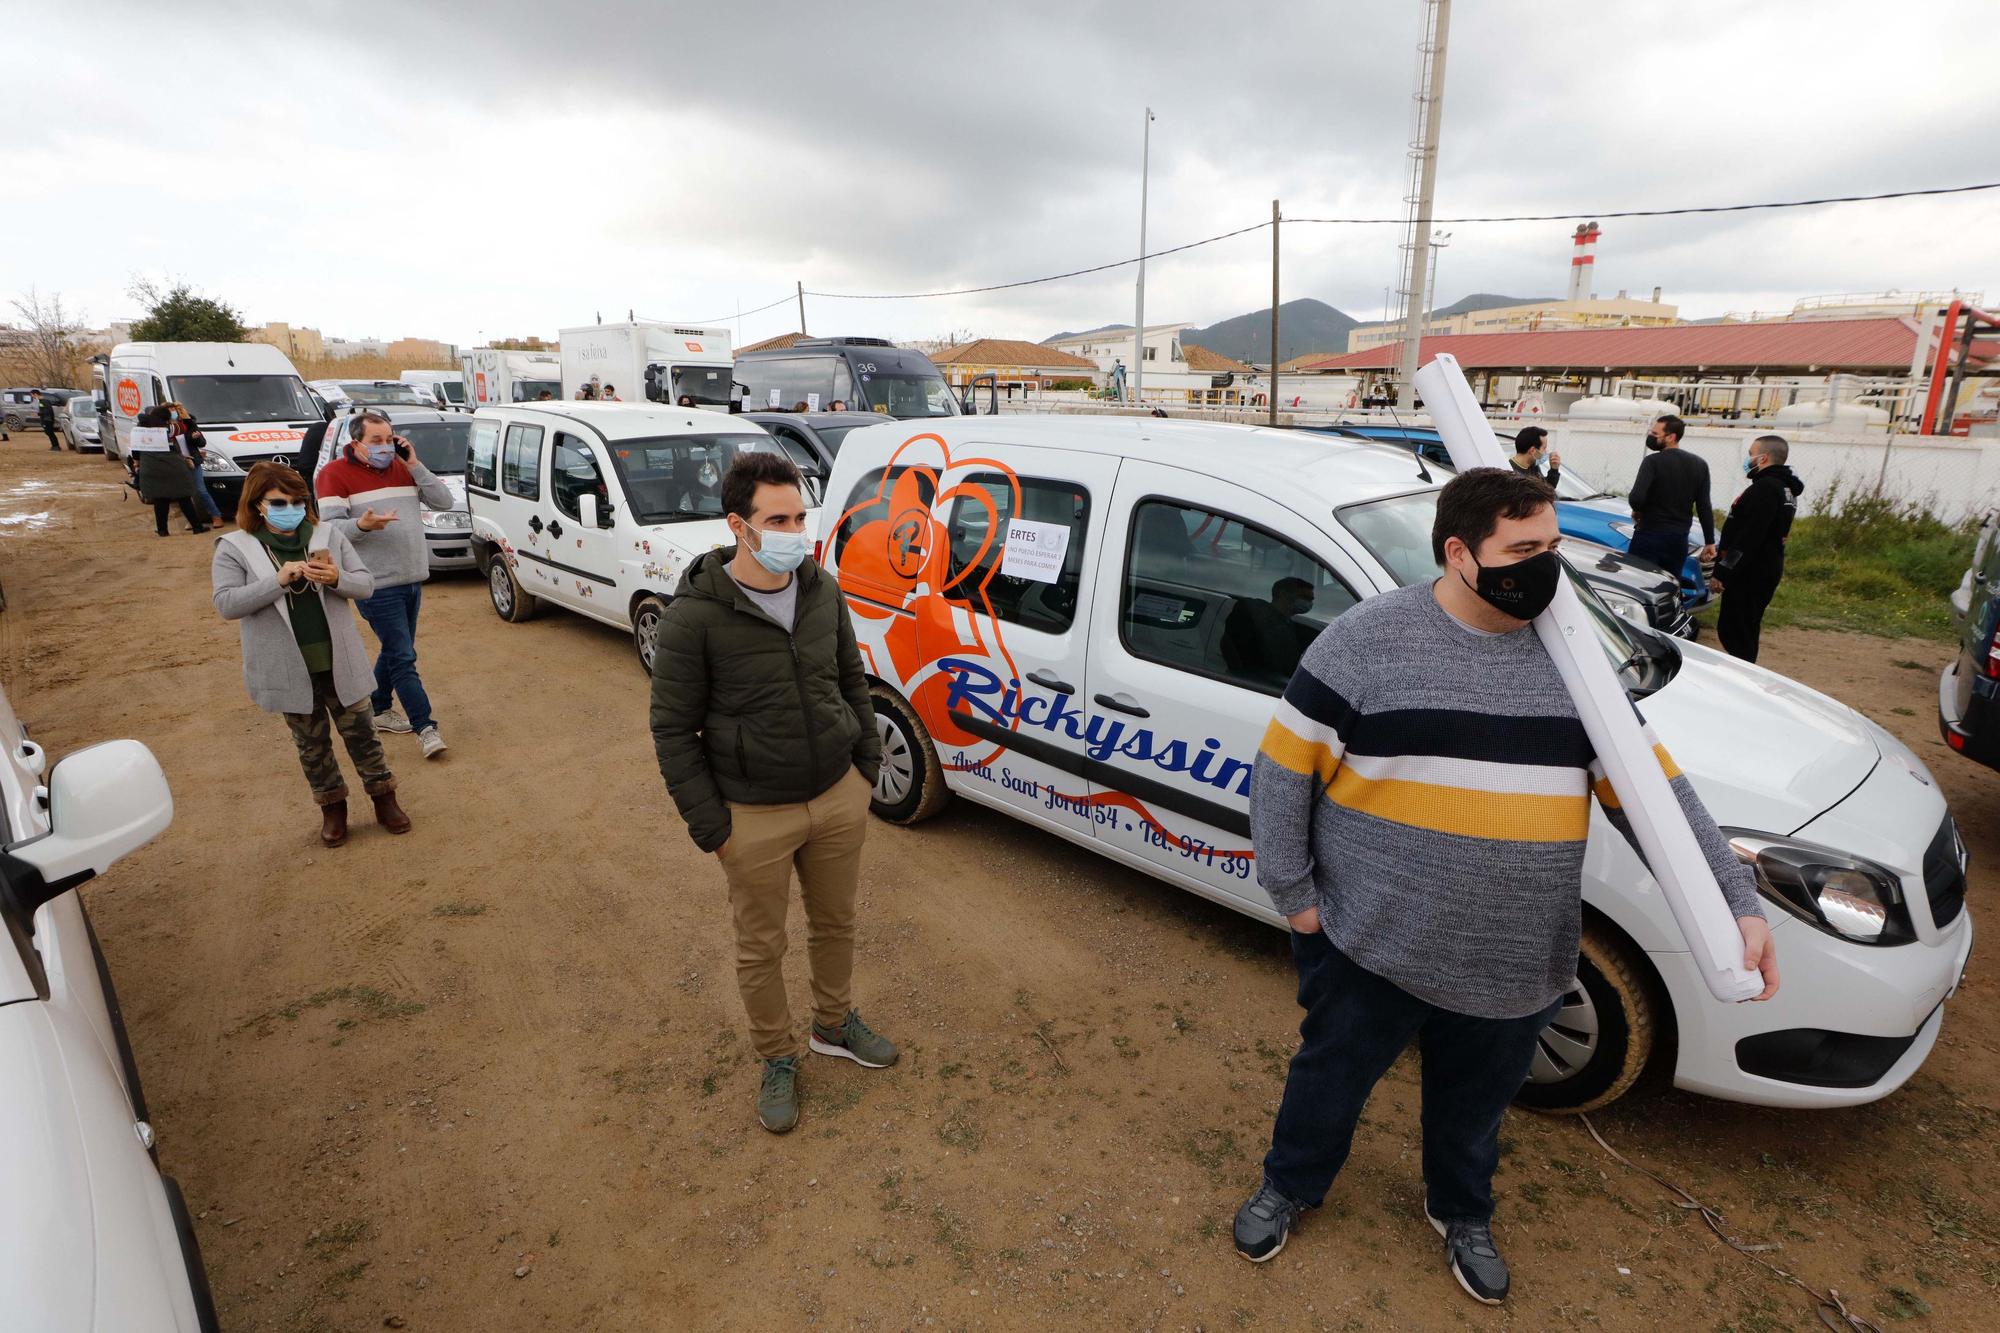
(1875, 565)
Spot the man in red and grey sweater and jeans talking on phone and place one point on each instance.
(375, 493)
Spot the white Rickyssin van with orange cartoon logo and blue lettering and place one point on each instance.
(1079, 623)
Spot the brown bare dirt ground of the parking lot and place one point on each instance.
(493, 1074)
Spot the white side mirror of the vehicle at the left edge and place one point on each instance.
(103, 804)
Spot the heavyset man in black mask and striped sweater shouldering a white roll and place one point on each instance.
(1419, 814)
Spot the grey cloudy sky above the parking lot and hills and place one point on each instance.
(477, 171)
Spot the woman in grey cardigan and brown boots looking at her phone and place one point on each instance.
(303, 655)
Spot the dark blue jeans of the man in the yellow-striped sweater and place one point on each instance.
(1357, 1026)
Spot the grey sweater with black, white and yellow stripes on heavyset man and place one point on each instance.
(1427, 786)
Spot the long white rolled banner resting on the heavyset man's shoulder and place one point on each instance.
(1611, 722)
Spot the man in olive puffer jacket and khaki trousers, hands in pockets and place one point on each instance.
(769, 746)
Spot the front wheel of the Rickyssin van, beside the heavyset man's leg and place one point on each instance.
(1599, 1044)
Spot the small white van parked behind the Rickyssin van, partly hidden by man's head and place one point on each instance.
(599, 507)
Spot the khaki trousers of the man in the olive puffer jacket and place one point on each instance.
(823, 842)
